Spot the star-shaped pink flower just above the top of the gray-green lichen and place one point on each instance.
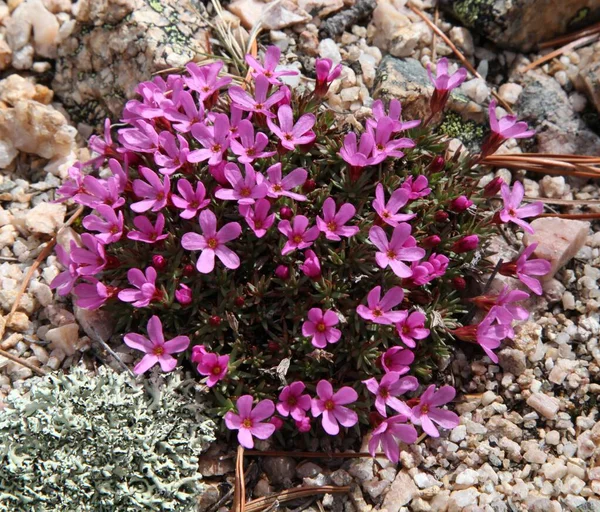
(156, 348)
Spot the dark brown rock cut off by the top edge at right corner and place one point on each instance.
(521, 24)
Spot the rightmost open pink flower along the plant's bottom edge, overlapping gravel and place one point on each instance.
(428, 412)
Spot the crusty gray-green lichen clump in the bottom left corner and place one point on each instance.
(81, 442)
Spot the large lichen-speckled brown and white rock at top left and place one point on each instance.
(118, 43)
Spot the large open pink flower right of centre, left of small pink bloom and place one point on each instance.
(400, 248)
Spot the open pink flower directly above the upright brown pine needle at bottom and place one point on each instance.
(249, 422)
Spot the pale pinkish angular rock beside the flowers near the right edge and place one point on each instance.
(558, 240)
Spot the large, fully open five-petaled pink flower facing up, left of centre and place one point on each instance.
(212, 243)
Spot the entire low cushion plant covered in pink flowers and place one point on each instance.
(324, 280)
